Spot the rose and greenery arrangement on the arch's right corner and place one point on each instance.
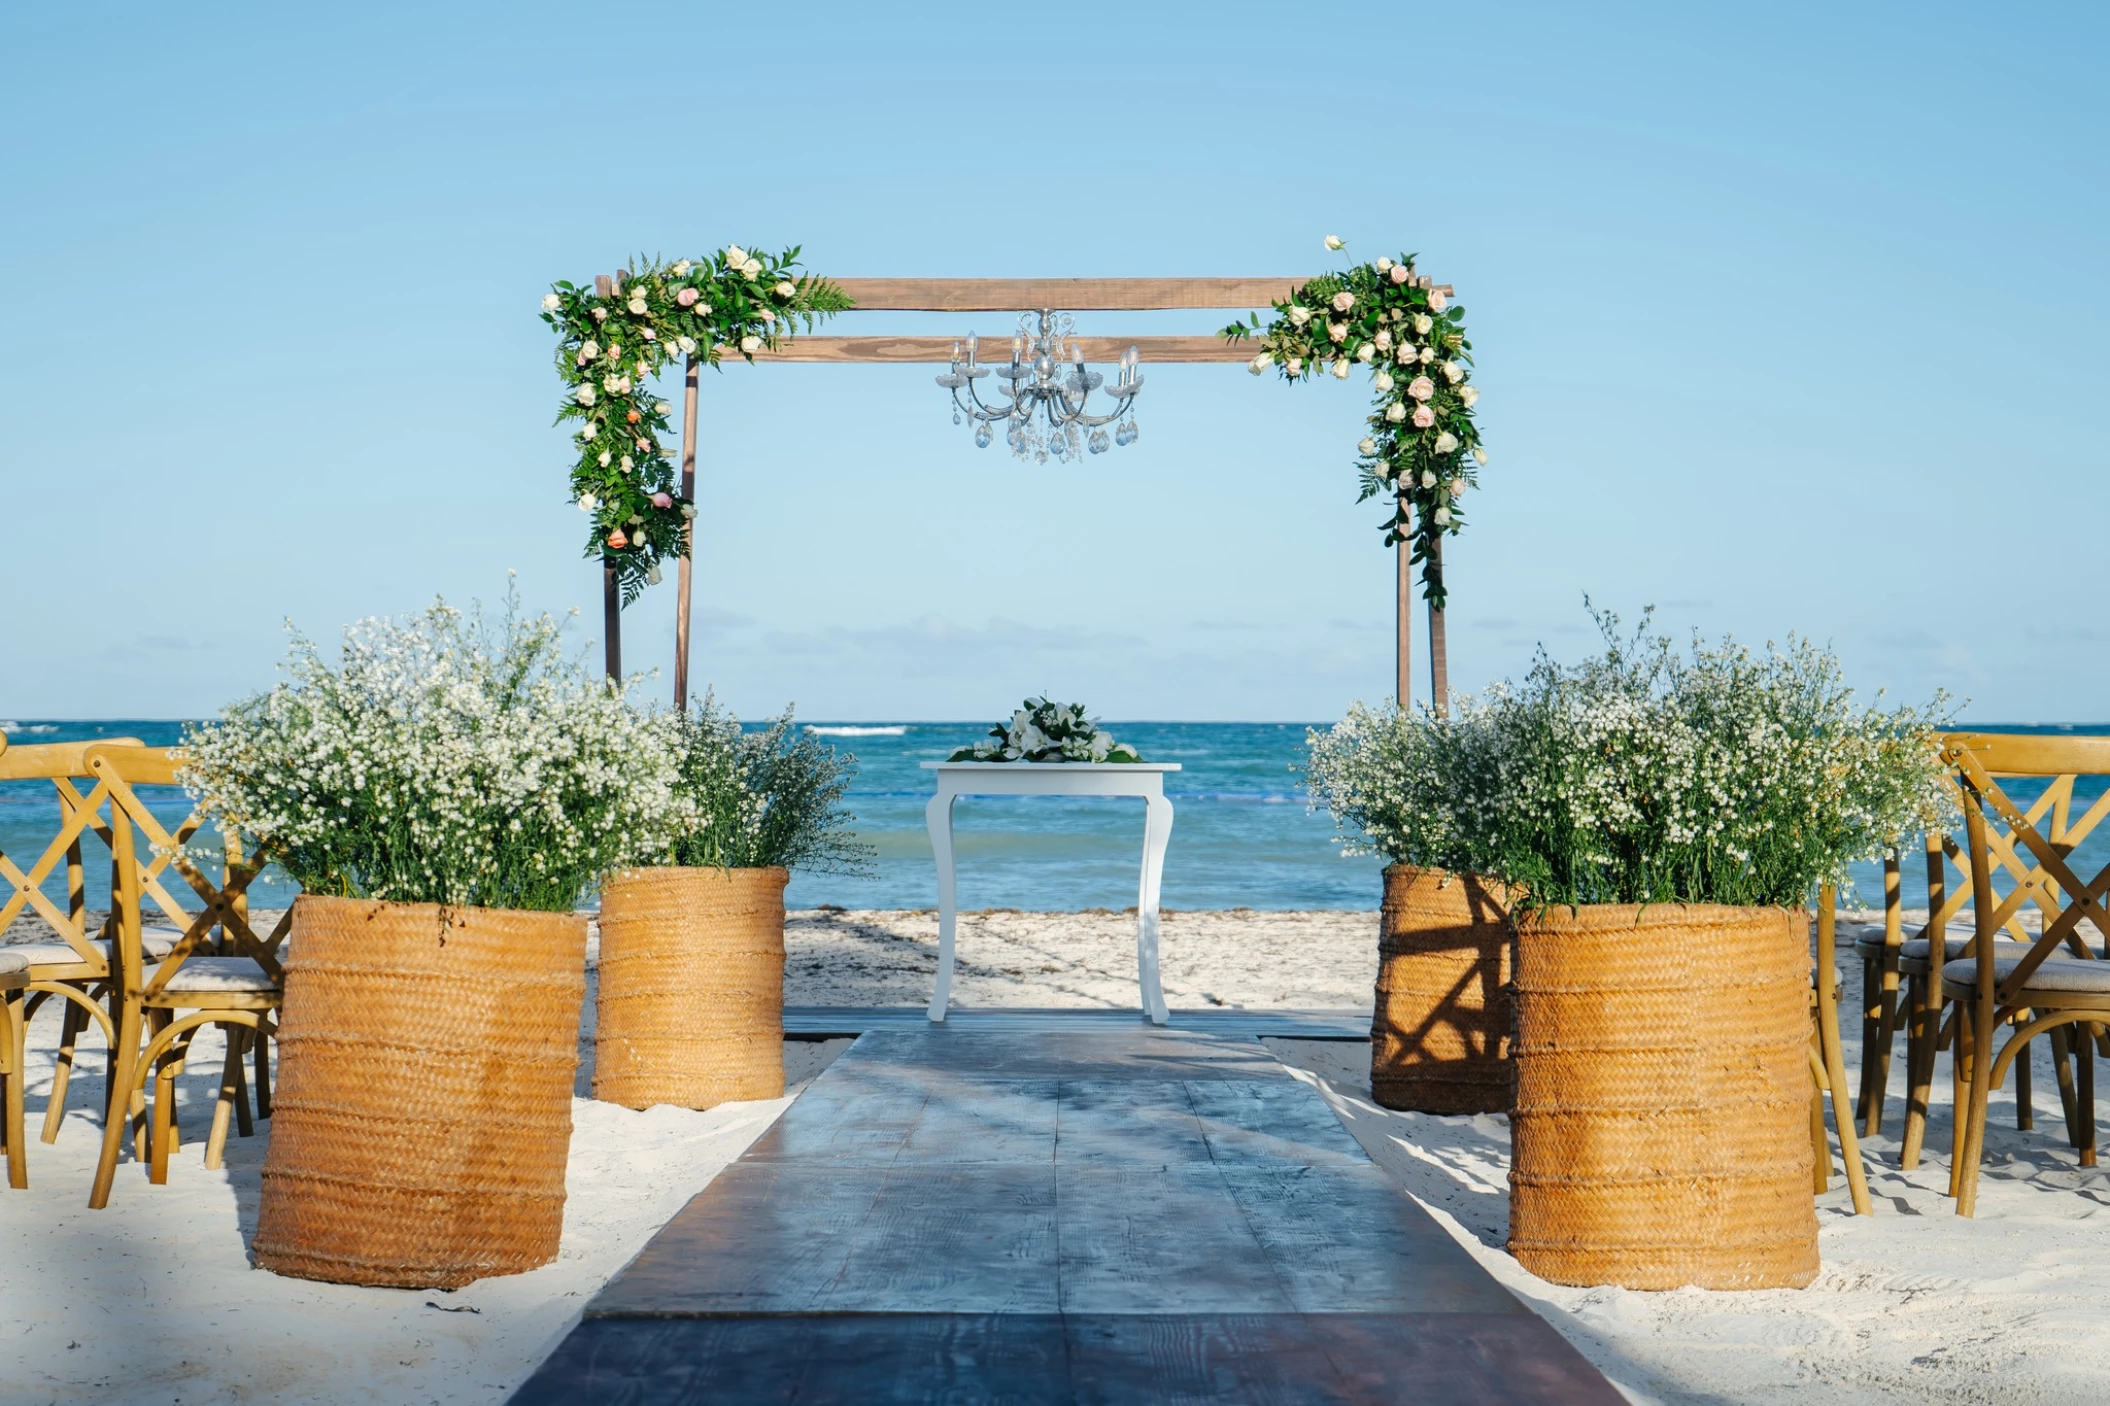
(1423, 444)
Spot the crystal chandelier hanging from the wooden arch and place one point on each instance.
(1043, 408)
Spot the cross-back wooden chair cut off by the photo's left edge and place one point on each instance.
(75, 970)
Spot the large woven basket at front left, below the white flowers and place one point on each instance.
(423, 1114)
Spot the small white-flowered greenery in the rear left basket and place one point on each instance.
(752, 801)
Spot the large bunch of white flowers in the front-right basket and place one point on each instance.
(1714, 776)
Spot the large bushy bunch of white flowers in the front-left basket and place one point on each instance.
(442, 759)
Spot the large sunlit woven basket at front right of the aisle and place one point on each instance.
(1664, 1099)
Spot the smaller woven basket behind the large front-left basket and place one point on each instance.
(691, 1004)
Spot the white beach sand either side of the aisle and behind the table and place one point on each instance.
(155, 1299)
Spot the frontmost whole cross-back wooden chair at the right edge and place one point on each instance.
(2054, 983)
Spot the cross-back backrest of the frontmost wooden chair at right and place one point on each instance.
(2031, 848)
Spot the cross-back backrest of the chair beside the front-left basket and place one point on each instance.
(138, 875)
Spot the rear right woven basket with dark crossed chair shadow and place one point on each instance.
(1442, 1023)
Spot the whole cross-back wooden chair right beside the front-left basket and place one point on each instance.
(233, 983)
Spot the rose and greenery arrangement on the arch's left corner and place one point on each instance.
(609, 351)
